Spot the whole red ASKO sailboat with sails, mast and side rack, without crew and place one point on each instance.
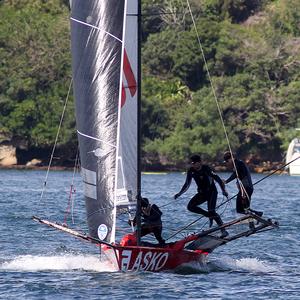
(105, 44)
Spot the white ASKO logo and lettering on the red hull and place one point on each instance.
(144, 261)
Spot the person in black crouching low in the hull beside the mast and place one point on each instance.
(151, 220)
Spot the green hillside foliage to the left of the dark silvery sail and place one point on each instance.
(35, 68)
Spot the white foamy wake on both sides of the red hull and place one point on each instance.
(71, 262)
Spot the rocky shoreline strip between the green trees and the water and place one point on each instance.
(15, 154)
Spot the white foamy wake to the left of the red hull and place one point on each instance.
(64, 262)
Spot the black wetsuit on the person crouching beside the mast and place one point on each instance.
(152, 223)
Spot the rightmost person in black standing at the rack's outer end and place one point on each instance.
(244, 184)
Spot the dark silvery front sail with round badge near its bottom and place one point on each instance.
(96, 43)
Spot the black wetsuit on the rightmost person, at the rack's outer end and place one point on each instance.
(243, 198)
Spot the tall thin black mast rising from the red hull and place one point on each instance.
(139, 21)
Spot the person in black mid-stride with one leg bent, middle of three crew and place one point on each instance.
(204, 177)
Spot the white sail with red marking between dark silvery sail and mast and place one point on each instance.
(127, 173)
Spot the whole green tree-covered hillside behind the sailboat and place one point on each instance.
(251, 47)
